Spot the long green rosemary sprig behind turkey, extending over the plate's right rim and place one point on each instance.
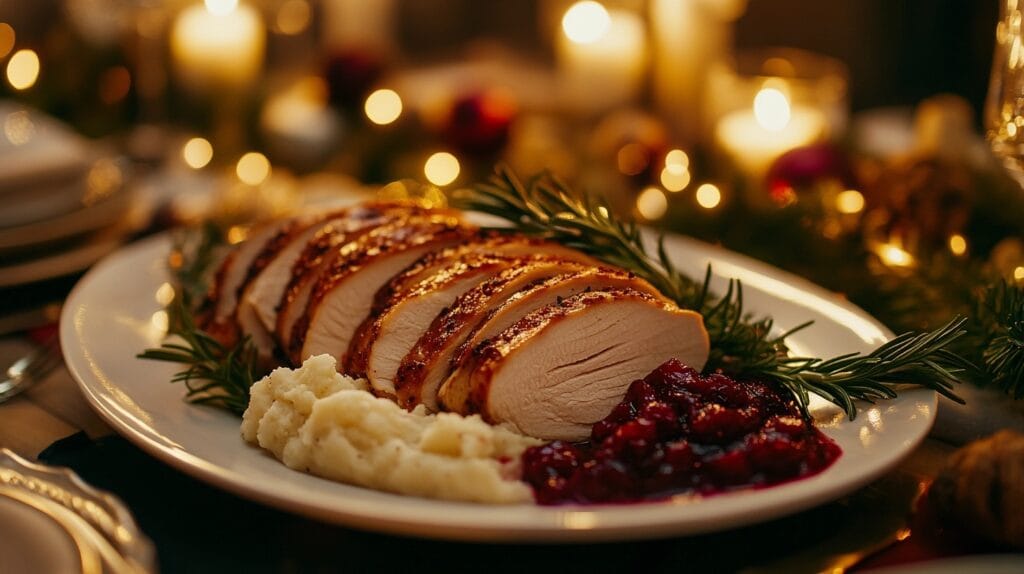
(743, 346)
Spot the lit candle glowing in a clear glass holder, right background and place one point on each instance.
(756, 137)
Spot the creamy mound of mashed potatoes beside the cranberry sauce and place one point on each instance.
(315, 420)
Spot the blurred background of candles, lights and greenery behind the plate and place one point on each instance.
(843, 141)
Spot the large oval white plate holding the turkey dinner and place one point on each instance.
(113, 315)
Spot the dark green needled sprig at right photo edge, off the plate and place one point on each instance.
(1001, 315)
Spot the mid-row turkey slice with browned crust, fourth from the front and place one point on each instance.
(391, 335)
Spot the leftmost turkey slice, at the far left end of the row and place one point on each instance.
(218, 317)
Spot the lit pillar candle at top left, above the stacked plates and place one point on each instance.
(218, 47)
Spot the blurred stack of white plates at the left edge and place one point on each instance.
(65, 202)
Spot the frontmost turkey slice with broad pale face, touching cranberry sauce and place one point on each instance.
(562, 369)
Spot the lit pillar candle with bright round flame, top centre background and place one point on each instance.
(603, 56)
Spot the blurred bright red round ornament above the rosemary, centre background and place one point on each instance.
(479, 123)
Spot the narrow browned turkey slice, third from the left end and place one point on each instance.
(324, 248)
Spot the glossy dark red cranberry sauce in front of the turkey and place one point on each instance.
(679, 432)
